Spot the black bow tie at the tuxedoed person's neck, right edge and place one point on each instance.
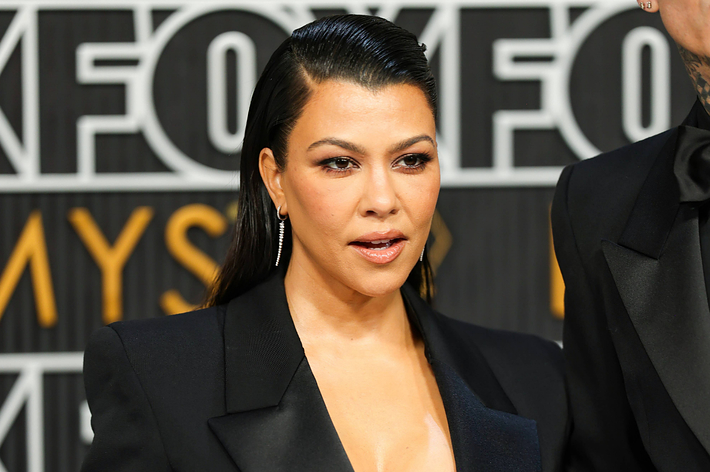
(692, 164)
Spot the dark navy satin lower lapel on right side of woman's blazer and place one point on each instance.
(483, 439)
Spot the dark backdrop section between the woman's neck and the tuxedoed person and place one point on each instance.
(497, 271)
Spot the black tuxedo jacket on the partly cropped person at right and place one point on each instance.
(637, 322)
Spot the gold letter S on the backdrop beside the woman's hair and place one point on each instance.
(196, 261)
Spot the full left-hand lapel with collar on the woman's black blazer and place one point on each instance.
(276, 418)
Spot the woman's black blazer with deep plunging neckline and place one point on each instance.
(228, 388)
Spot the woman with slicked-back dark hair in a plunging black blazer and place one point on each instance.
(315, 352)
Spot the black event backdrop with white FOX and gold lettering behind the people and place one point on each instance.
(120, 130)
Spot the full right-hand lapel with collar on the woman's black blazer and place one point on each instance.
(483, 438)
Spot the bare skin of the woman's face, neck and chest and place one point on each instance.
(369, 363)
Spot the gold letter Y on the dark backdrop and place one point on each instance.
(111, 259)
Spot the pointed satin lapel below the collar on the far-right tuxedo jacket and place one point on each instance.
(668, 306)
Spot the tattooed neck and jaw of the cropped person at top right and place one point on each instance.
(688, 23)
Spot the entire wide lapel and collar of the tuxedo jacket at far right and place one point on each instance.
(657, 269)
